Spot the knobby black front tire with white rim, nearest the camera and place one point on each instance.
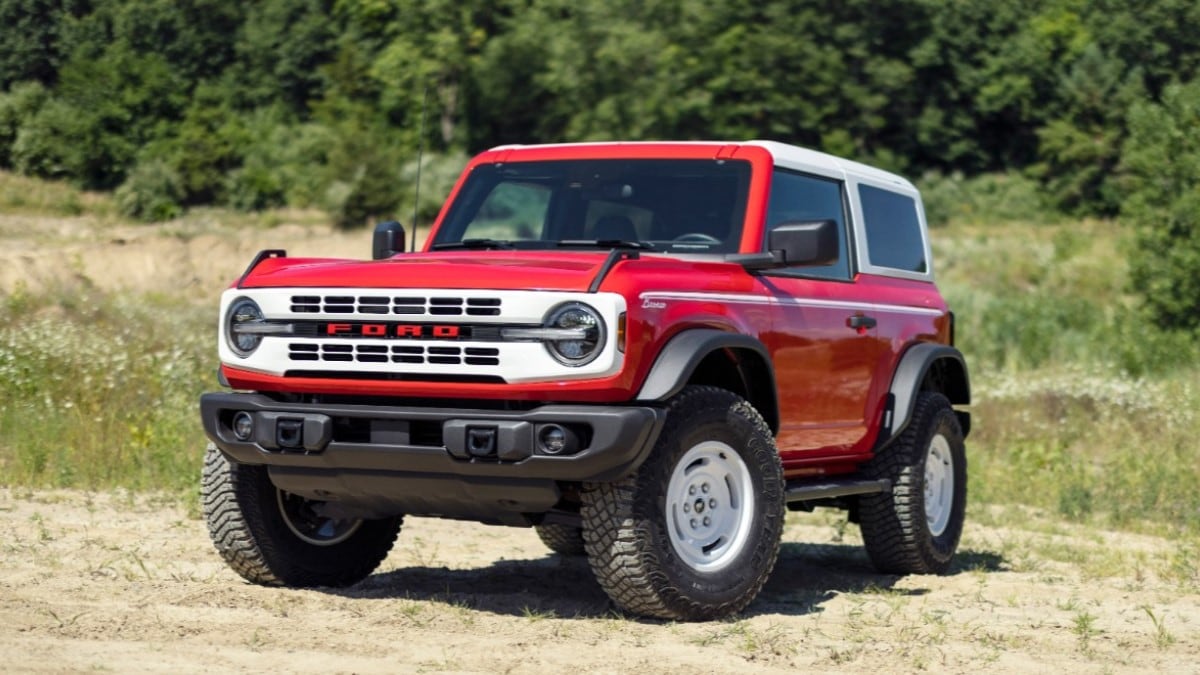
(628, 524)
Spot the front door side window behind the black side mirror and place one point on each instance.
(799, 198)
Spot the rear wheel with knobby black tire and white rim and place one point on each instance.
(897, 528)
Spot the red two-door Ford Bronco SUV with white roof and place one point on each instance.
(646, 351)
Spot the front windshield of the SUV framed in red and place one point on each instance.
(675, 206)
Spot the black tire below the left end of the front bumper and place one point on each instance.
(245, 519)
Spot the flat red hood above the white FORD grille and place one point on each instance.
(542, 271)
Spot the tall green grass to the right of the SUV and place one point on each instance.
(1082, 407)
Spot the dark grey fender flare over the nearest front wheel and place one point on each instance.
(685, 353)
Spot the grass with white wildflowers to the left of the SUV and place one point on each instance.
(101, 391)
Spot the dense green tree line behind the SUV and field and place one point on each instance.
(325, 103)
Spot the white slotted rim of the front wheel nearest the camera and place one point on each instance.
(710, 506)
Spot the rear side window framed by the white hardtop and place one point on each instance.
(893, 230)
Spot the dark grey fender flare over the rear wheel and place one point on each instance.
(907, 384)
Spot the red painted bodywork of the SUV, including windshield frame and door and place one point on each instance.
(832, 379)
